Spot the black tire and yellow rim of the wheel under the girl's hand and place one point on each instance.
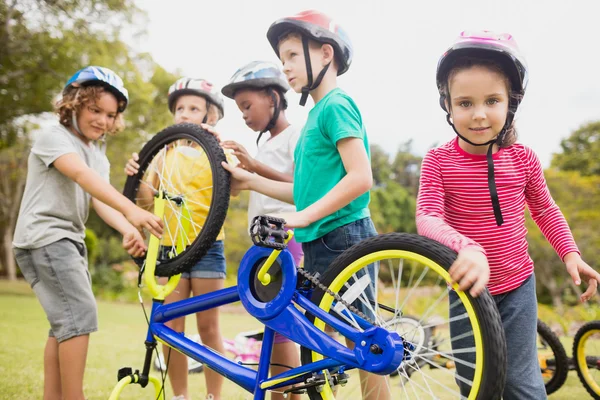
(490, 374)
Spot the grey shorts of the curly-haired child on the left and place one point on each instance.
(58, 274)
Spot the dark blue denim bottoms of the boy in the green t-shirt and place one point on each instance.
(320, 253)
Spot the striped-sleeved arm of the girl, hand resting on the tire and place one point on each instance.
(471, 268)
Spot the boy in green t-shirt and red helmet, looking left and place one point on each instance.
(332, 174)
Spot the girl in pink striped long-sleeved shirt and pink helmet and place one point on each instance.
(473, 193)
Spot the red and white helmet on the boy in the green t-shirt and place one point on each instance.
(319, 27)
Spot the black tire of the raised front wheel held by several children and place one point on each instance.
(202, 141)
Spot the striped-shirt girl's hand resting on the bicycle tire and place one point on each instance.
(471, 271)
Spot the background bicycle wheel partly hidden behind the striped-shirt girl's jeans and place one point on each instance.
(553, 358)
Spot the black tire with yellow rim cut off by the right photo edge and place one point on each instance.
(582, 360)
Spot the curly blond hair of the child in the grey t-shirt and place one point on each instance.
(75, 98)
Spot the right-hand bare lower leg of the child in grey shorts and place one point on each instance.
(72, 354)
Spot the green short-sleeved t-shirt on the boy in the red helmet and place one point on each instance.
(319, 165)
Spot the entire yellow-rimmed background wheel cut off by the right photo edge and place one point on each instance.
(586, 351)
